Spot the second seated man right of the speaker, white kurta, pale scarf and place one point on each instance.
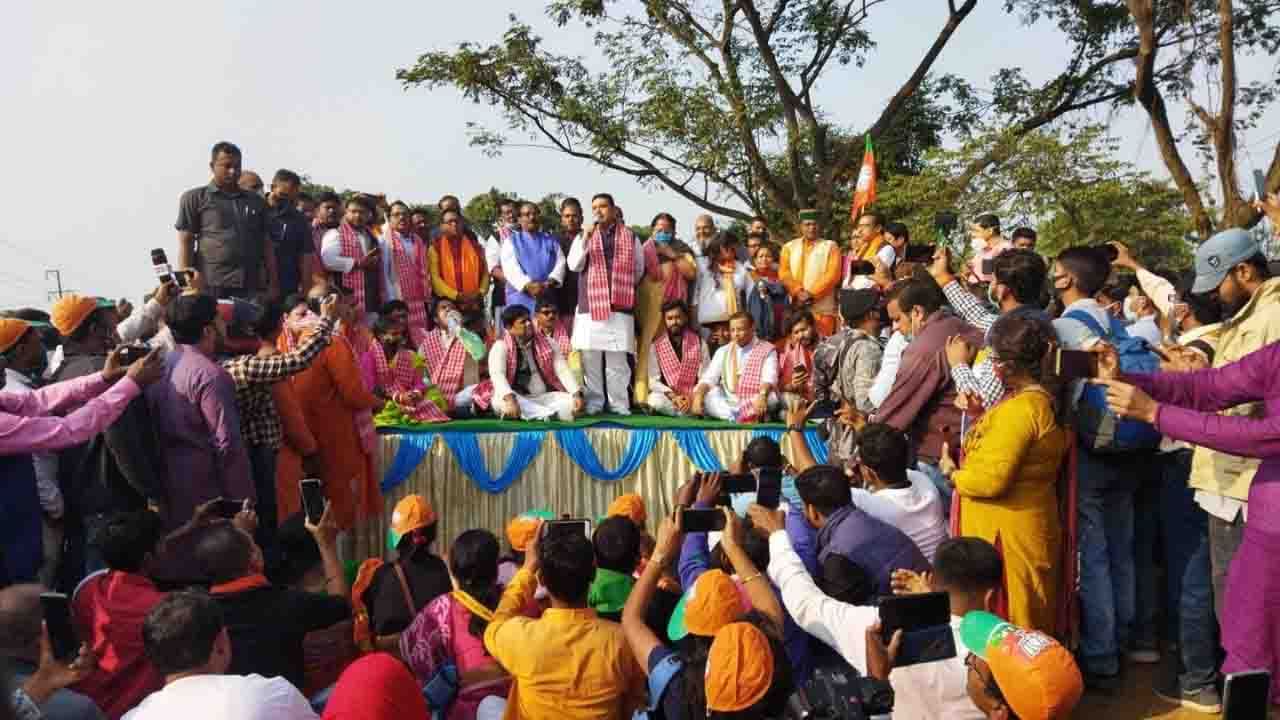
(739, 382)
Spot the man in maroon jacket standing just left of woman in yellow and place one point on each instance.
(922, 402)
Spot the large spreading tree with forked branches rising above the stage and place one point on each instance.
(720, 101)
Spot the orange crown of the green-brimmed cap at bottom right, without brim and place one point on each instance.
(1036, 675)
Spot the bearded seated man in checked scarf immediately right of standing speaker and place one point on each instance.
(676, 361)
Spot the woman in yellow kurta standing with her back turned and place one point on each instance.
(1008, 487)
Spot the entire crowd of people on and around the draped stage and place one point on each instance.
(1034, 439)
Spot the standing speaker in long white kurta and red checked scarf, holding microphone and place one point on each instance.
(611, 263)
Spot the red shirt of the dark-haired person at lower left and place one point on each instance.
(109, 612)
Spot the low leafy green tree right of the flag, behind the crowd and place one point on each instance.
(1067, 184)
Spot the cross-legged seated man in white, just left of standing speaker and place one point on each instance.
(531, 377)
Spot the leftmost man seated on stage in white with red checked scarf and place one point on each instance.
(451, 357)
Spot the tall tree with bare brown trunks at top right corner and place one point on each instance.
(1227, 26)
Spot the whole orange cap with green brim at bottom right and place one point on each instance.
(1036, 675)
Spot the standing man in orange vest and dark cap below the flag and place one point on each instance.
(811, 272)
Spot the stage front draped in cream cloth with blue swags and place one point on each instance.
(481, 473)
